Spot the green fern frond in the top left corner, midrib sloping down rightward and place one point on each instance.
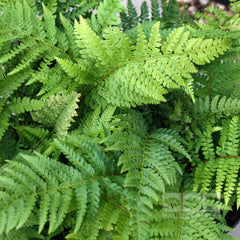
(27, 48)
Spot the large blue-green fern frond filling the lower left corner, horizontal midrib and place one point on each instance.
(54, 186)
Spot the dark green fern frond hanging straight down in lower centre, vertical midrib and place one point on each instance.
(149, 165)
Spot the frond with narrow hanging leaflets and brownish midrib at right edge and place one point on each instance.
(220, 171)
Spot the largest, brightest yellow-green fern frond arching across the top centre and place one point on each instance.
(171, 64)
